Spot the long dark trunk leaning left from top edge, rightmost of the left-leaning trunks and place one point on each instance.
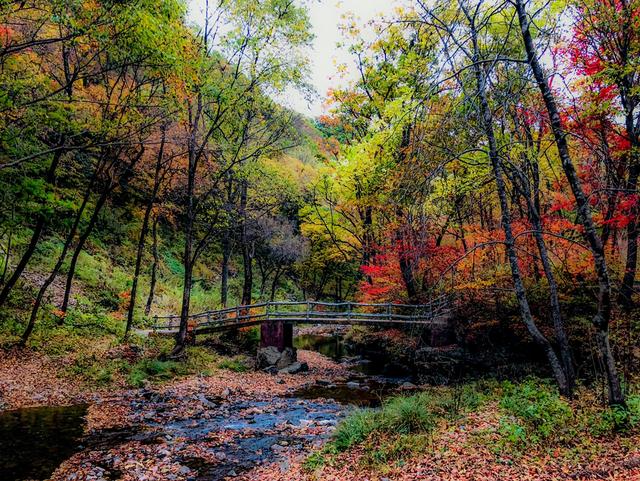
(602, 317)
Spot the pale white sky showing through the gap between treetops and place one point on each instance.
(325, 17)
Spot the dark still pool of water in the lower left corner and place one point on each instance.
(34, 441)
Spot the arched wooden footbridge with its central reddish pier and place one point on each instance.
(277, 318)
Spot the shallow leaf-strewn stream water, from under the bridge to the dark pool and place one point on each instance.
(204, 438)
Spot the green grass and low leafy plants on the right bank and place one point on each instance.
(532, 417)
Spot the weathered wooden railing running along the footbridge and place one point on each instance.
(418, 314)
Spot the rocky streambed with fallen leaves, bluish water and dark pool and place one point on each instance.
(225, 426)
